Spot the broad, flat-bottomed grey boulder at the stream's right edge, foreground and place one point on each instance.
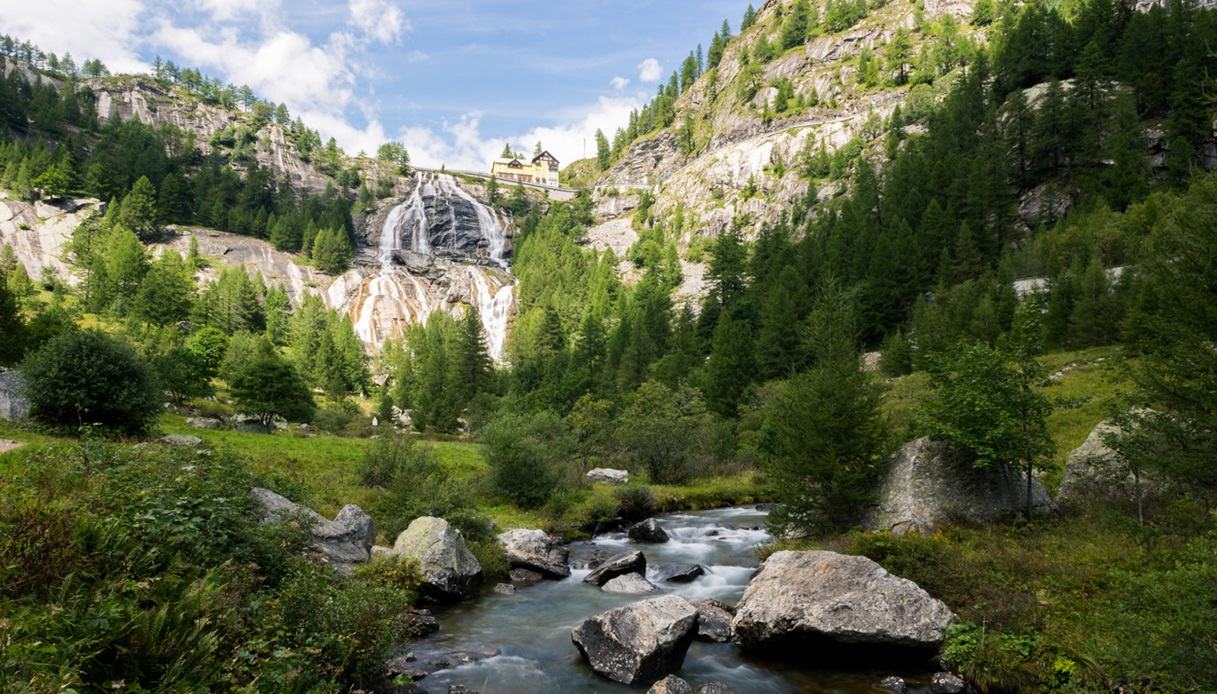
(809, 598)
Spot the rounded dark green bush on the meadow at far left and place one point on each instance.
(85, 378)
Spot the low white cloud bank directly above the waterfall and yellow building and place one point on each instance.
(462, 147)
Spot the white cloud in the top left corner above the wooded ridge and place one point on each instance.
(105, 31)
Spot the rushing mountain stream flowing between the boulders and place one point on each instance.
(531, 629)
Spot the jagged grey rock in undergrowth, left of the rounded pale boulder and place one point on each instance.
(344, 542)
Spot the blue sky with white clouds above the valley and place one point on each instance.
(453, 80)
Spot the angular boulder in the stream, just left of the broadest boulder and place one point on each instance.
(638, 643)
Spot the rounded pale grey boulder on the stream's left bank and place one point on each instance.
(450, 570)
